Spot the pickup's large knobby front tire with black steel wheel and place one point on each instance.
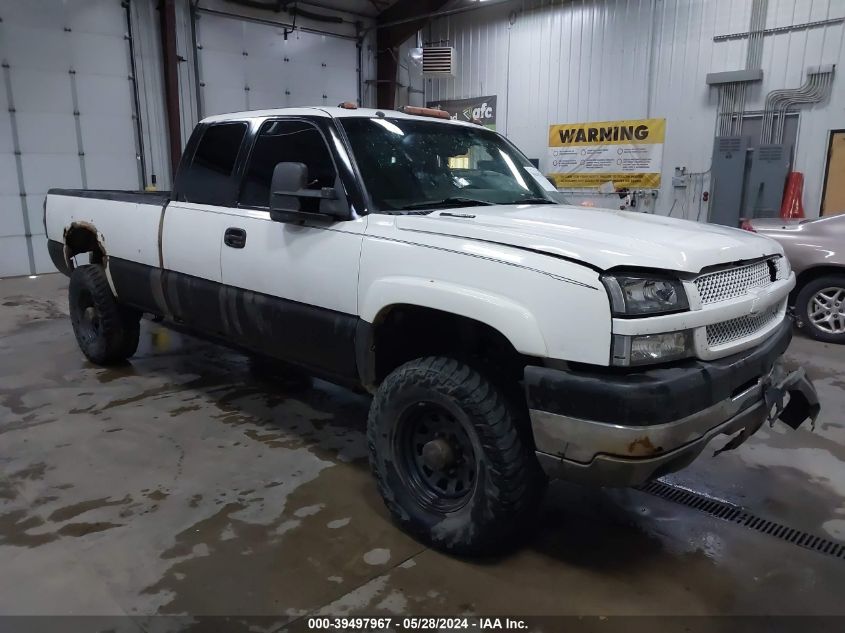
(451, 464)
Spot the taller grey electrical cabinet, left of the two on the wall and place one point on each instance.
(727, 177)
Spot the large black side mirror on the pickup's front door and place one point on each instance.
(288, 191)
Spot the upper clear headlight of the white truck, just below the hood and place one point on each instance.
(642, 294)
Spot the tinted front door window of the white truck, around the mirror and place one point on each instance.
(282, 142)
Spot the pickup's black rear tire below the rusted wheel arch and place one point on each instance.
(107, 333)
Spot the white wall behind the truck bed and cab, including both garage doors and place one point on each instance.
(82, 94)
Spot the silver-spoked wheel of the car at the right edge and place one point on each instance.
(820, 306)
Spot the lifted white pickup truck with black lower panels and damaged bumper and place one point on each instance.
(426, 261)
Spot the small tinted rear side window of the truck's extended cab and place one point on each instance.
(209, 178)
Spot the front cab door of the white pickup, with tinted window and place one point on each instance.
(292, 288)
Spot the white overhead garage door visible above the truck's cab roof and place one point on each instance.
(246, 65)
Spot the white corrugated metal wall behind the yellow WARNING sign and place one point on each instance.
(594, 60)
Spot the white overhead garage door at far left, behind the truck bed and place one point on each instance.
(66, 104)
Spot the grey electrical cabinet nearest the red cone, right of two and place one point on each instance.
(766, 179)
